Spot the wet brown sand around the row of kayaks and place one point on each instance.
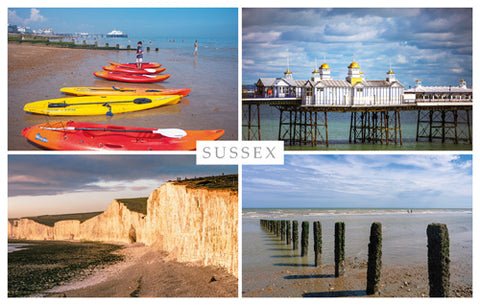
(37, 72)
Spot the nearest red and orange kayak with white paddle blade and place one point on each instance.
(69, 135)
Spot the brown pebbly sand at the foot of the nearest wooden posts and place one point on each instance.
(396, 281)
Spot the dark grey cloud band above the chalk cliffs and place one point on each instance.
(58, 174)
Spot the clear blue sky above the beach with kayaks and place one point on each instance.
(150, 22)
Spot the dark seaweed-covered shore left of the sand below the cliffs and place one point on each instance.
(46, 264)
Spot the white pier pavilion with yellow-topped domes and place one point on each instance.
(354, 90)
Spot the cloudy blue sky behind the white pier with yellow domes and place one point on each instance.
(433, 45)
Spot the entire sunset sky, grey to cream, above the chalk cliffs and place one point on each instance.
(62, 184)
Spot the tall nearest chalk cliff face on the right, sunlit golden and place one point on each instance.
(195, 224)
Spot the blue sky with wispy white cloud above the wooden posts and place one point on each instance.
(360, 181)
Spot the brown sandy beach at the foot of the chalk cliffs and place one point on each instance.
(147, 272)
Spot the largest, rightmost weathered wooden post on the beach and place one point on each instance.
(438, 260)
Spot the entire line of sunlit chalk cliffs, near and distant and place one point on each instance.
(192, 224)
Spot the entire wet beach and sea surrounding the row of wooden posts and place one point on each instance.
(272, 269)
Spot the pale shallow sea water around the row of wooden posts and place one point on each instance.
(404, 237)
